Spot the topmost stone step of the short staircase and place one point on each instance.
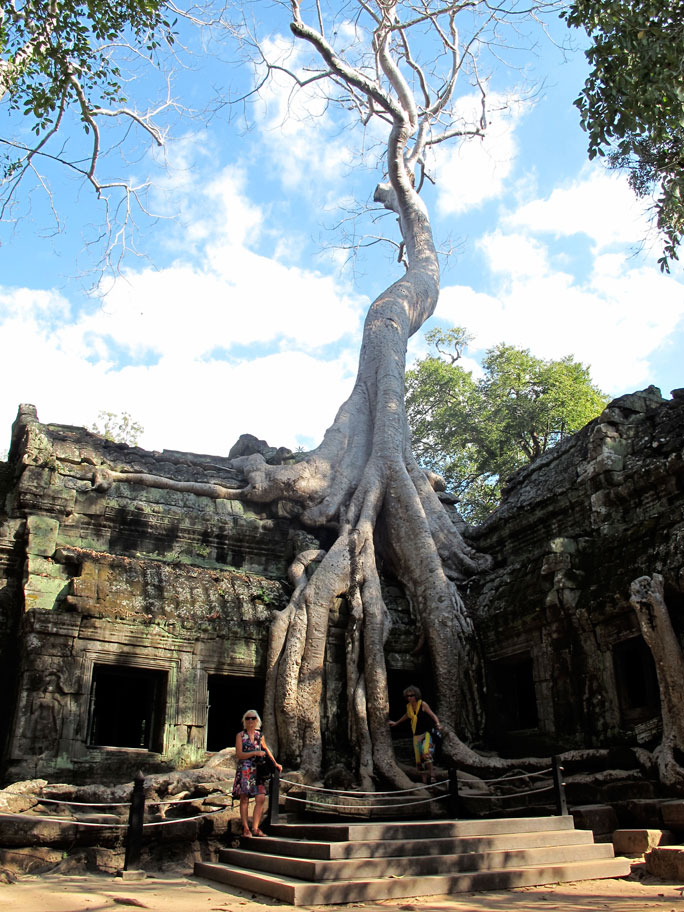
(423, 829)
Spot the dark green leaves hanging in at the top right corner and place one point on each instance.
(632, 104)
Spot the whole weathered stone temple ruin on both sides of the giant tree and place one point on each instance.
(159, 602)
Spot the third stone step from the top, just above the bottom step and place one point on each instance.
(412, 866)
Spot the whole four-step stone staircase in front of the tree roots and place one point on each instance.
(323, 863)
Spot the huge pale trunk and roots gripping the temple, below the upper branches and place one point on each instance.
(364, 482)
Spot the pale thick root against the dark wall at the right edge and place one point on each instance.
(647, 595)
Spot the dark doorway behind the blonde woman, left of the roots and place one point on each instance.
(229, 698)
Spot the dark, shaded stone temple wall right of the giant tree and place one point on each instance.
(573, 531)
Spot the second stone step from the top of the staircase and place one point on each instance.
(301, 848)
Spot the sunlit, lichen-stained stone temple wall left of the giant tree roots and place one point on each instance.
(160, 588)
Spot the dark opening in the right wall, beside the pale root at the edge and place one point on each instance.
(636, 680)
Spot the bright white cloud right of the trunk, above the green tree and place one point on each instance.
(614, 321)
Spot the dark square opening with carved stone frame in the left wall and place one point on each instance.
(127, 707)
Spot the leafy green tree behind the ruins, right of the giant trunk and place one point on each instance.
(475, 432)
